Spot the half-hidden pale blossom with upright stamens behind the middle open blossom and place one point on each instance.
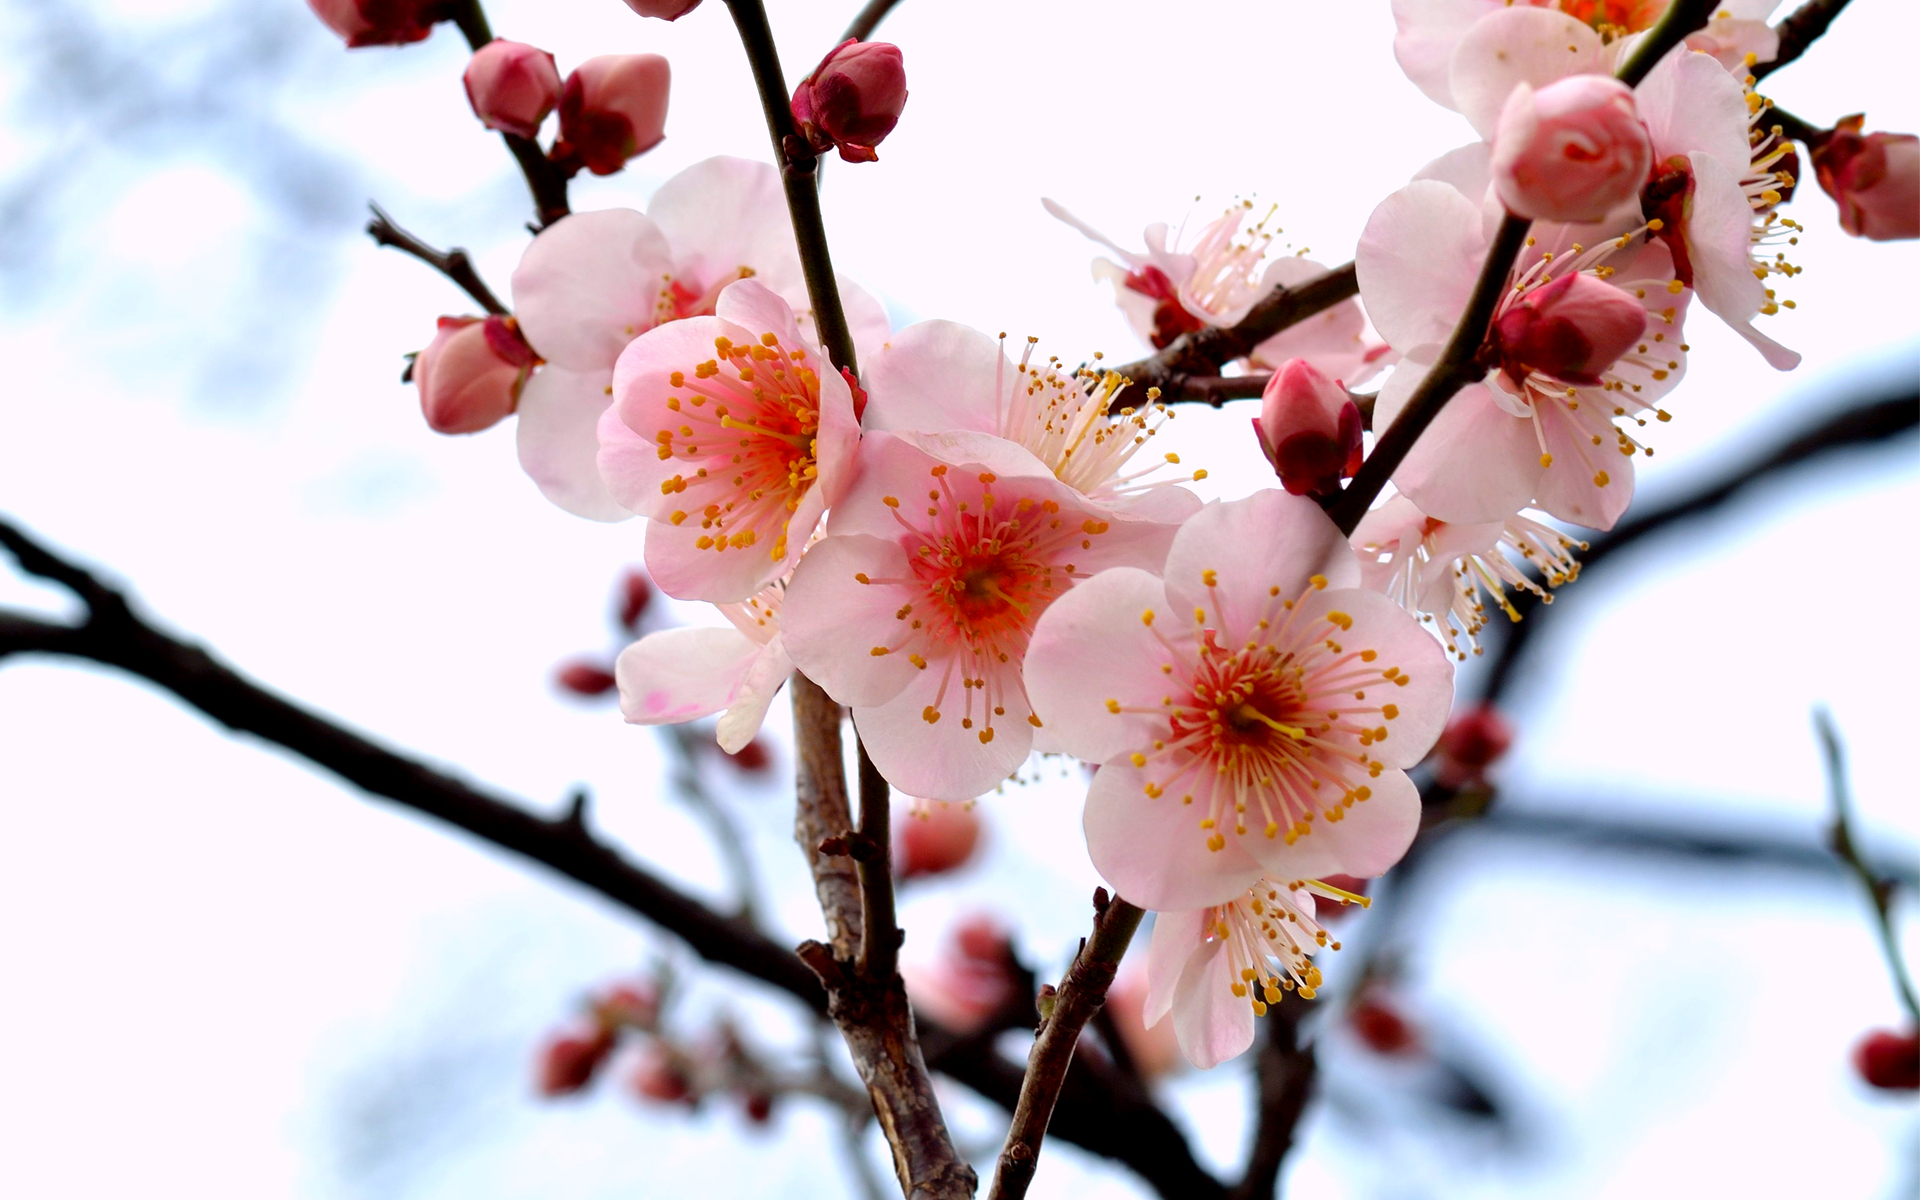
(940, 377)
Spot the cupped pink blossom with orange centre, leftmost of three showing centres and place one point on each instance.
(732, 435)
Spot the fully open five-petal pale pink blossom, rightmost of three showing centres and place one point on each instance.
(1253, 713)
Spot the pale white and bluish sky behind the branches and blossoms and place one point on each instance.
(231, 978)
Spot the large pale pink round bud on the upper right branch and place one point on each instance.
(1573, 151)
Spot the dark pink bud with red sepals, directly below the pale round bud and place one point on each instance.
(1572, 329)
